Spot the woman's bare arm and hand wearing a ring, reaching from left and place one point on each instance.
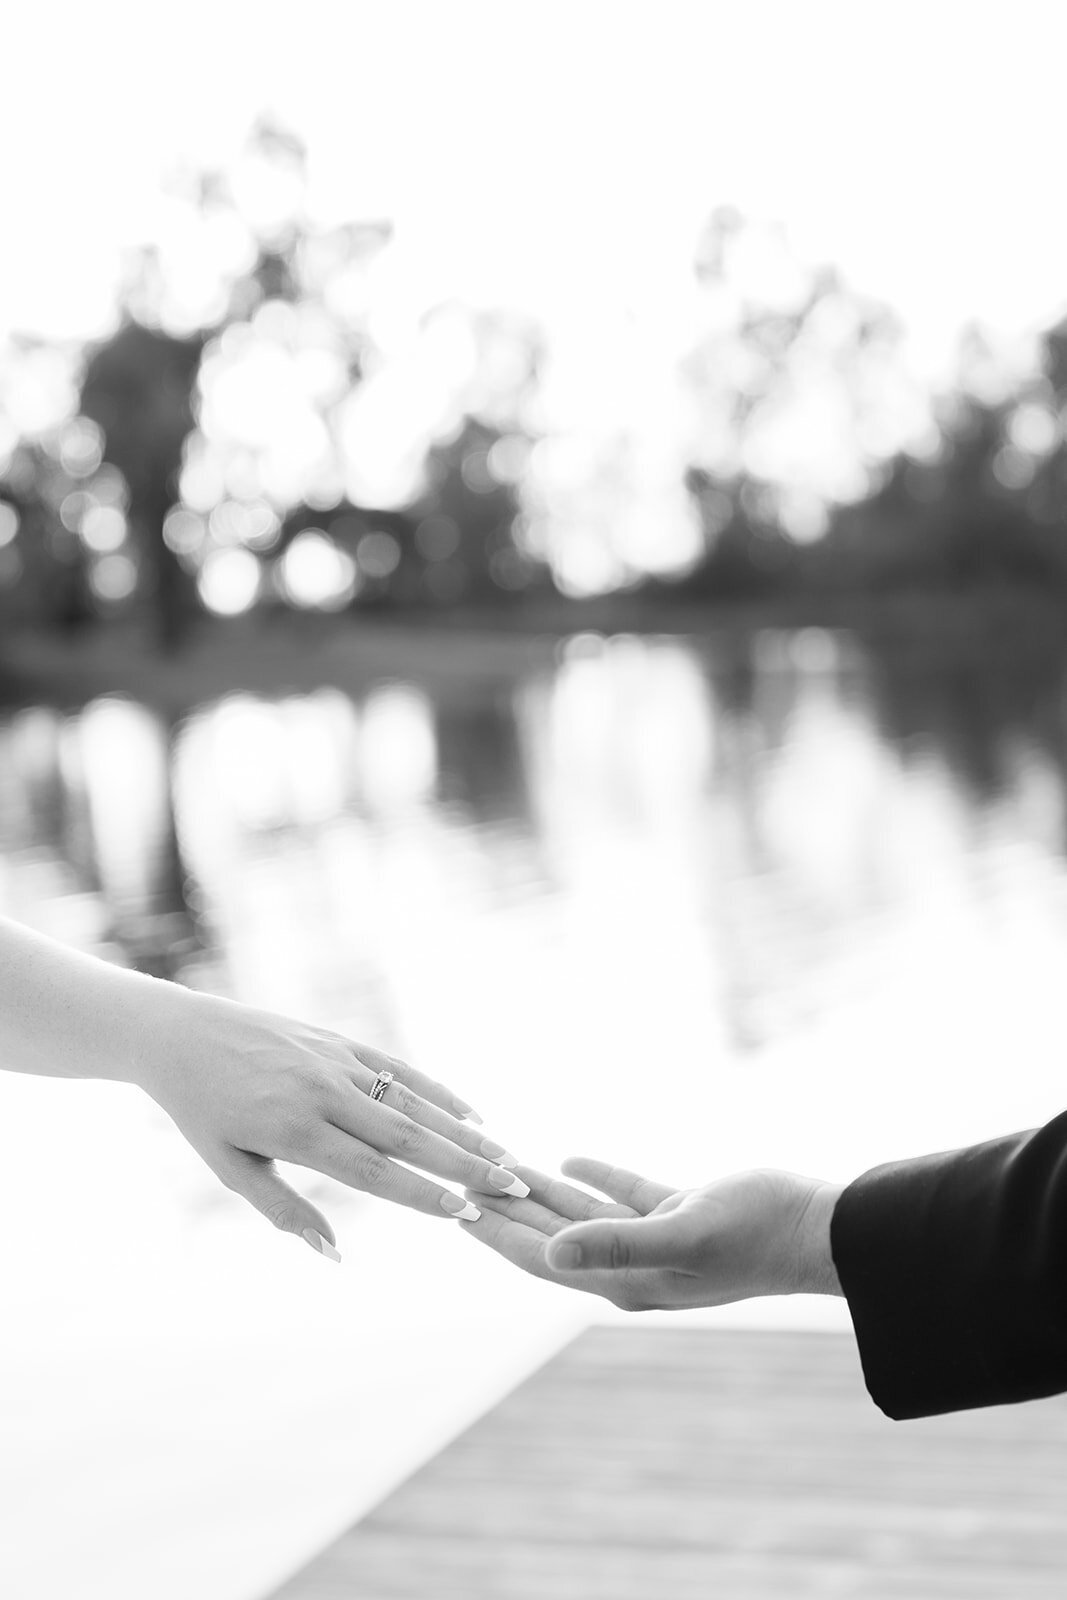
(246, 1087)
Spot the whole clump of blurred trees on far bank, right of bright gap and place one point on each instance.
(972, 502)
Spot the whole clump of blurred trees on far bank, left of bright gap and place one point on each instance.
(215, 457)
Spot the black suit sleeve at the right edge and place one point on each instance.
(956, 1274)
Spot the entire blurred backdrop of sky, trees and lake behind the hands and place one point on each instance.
(535, 537)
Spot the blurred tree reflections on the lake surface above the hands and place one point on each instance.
(732, 825)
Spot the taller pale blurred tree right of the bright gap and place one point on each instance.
(802, 398)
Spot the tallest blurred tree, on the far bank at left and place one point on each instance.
(244, 318)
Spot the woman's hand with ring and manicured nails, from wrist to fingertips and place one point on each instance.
(247, 1087)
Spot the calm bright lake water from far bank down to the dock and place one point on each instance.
(692, 906)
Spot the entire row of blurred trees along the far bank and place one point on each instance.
(254, 434)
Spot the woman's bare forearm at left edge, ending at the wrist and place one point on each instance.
(70, 1015)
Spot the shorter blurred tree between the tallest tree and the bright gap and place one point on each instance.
(452, 532)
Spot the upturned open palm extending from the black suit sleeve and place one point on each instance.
(652, 1247)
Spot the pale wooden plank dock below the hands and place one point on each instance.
(677, 1465)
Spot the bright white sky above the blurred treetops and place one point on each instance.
(561, 154)
